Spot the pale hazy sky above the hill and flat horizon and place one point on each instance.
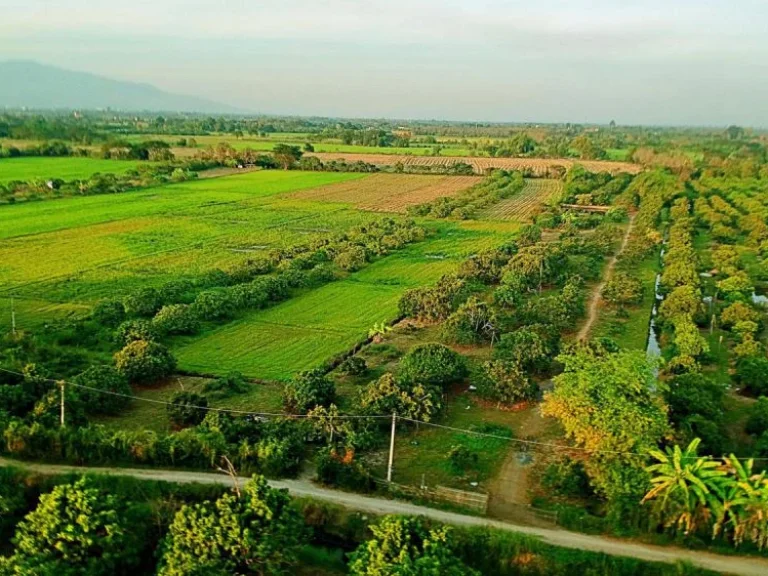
(666, 62)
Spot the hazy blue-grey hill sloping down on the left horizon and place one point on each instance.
(34, 85)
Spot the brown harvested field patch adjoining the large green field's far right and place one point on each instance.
(389, 192)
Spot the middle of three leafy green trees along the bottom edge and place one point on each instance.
(254, 532)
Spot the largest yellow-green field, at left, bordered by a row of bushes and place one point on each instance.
(77, 250)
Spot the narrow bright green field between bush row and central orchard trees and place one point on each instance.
(306, 331)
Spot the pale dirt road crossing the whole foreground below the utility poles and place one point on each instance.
(740, 565)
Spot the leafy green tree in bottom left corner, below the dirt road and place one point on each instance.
(78, 530)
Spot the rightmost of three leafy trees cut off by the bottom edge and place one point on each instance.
(407, 547)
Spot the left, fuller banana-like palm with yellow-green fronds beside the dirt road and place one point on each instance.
(685, 484)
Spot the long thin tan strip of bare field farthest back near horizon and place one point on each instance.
(539, 166)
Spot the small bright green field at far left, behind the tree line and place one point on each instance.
(33, 168)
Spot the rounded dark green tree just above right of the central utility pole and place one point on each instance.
(432, 364)
